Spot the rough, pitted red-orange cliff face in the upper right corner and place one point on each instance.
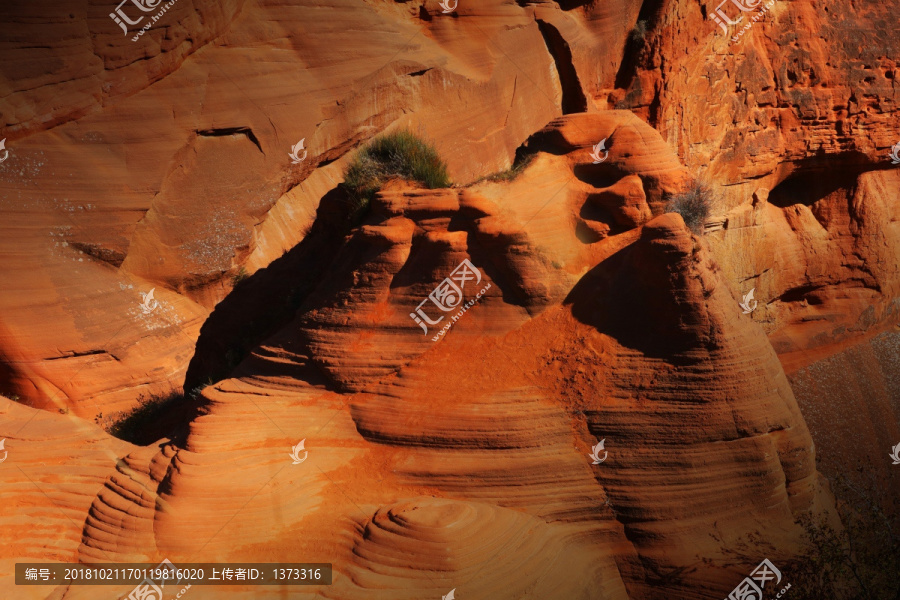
(811, 87)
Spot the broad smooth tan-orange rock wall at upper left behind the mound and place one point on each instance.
(167, 164)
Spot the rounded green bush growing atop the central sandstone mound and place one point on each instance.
(398, 155)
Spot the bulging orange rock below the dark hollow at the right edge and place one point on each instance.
(823, 256)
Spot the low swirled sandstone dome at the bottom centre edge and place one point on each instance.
(454, 540)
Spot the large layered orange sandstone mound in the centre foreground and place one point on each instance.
(617, 337)
